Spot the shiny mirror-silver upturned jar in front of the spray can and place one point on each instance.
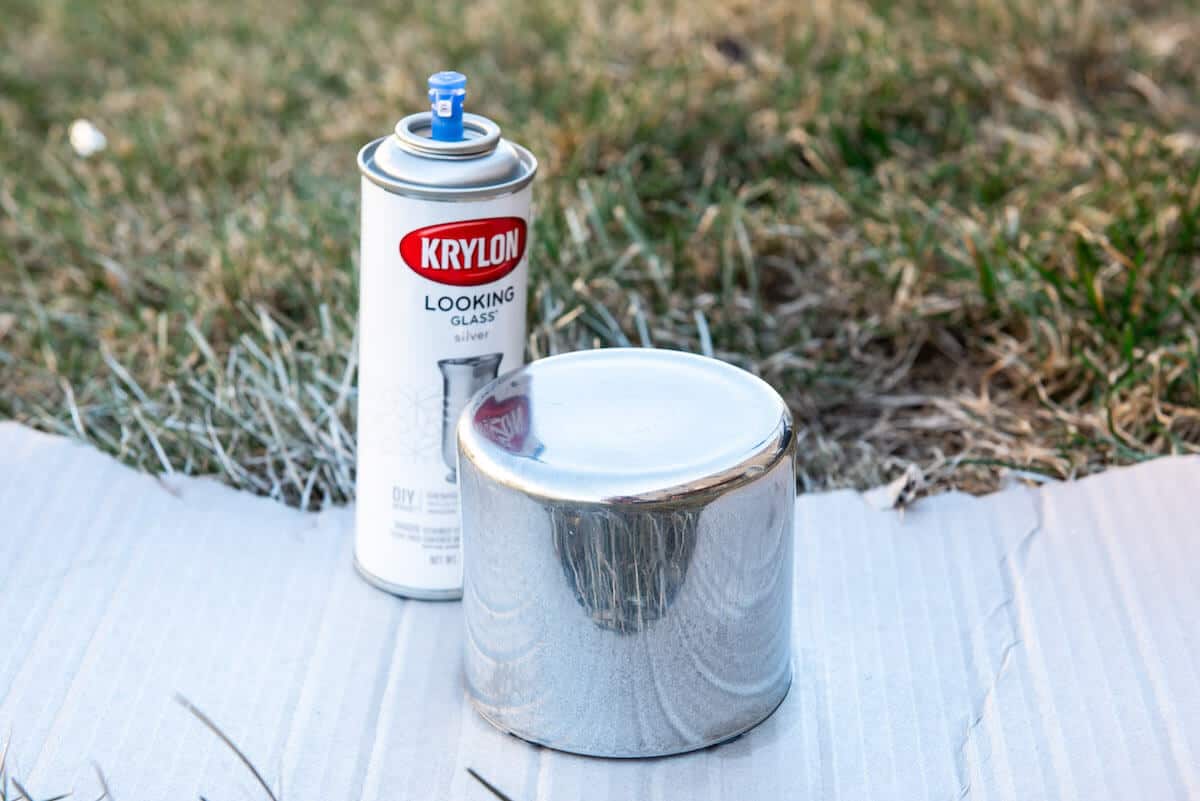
(628, 552)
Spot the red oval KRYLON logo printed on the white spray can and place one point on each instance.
(467, 254)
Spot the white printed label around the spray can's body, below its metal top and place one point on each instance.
(442, 312)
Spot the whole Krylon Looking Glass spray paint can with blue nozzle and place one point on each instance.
(442, 311)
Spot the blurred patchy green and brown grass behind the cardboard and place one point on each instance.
(959, 236)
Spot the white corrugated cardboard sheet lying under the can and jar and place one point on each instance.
(1031, 645)
